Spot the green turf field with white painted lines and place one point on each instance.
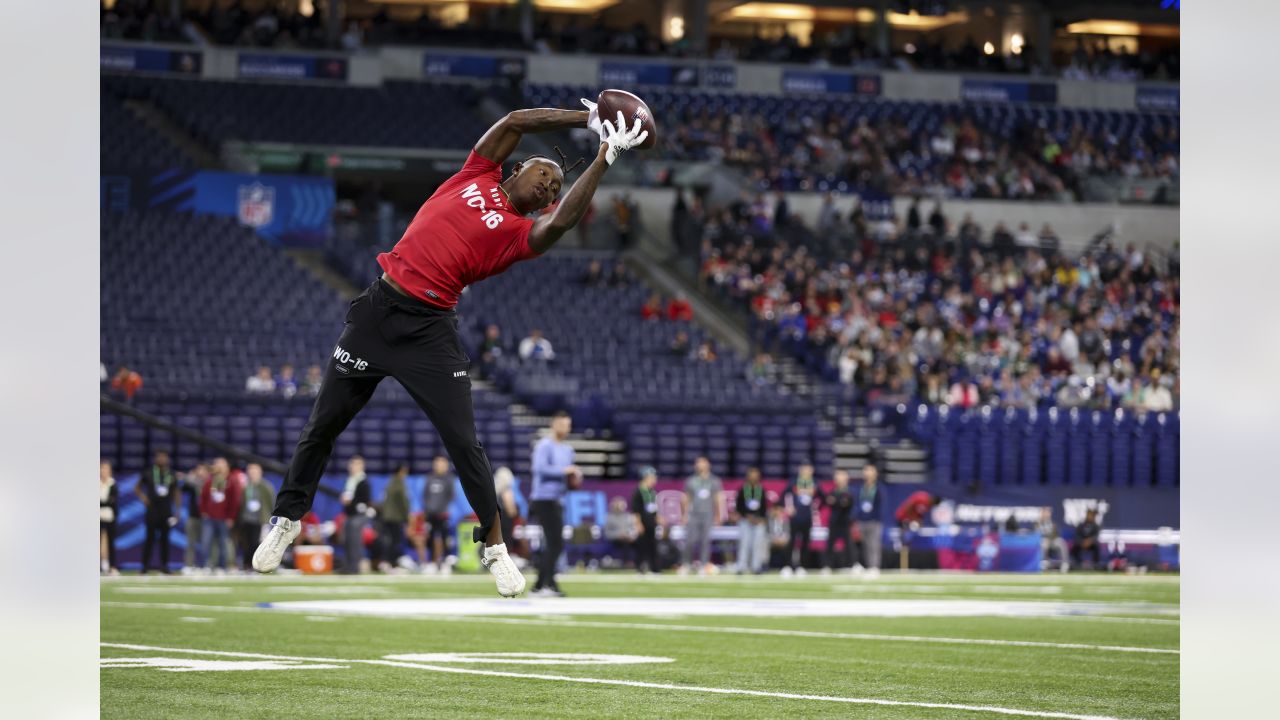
(1078, 646)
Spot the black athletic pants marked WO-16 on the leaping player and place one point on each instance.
(391, 335)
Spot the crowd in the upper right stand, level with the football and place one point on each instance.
(962, 157)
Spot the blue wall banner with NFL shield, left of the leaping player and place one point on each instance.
(289, 209)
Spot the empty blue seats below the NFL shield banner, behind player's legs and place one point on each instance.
(196, 304)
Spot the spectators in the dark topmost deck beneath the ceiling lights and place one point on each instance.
(497, 28)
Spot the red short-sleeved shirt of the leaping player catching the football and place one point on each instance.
(464, 234)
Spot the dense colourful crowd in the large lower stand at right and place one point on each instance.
(958, 316)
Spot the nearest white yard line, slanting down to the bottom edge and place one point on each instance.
(989, 709)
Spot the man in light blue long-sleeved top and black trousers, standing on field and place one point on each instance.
(555, 473)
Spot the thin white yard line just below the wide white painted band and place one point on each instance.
(715, 630)
